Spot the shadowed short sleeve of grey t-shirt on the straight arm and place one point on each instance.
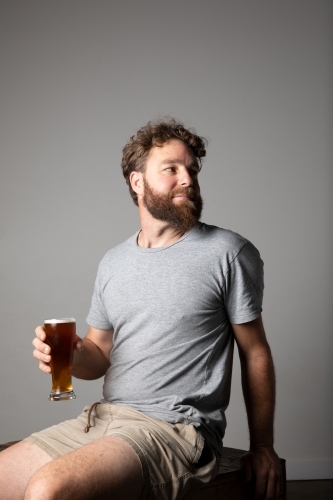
(244, 286)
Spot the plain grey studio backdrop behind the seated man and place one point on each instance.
(78, 77)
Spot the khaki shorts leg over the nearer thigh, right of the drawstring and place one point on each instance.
(175, 457)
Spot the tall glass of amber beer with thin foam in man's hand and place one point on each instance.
(60, 336)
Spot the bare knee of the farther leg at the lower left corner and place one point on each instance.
(17, 465)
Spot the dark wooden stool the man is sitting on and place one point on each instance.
(228, 484)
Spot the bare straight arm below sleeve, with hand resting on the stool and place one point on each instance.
(258, 382)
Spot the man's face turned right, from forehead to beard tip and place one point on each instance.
(171, 188)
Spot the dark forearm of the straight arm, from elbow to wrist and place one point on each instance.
(258, 382)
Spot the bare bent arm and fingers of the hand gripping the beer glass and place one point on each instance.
(91, 355)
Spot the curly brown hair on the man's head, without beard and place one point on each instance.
(156, 133)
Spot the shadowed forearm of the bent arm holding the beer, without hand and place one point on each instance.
(90, 363)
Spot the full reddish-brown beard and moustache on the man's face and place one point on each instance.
(183, 216)
